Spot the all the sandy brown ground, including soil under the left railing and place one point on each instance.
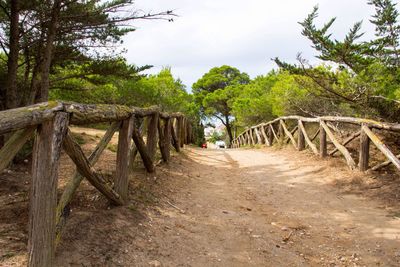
(247, 207)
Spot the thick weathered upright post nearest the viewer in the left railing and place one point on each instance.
(43, 198)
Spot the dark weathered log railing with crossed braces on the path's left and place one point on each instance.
(49, 122)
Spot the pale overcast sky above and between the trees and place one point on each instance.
(245, 34)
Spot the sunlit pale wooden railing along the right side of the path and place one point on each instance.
(277, 131)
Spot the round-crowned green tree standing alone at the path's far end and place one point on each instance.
(215, 92)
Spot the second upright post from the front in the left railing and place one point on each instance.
(124, 144)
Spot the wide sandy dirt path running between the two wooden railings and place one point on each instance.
(248, 208)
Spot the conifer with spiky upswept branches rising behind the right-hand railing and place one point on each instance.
(362, 76)
